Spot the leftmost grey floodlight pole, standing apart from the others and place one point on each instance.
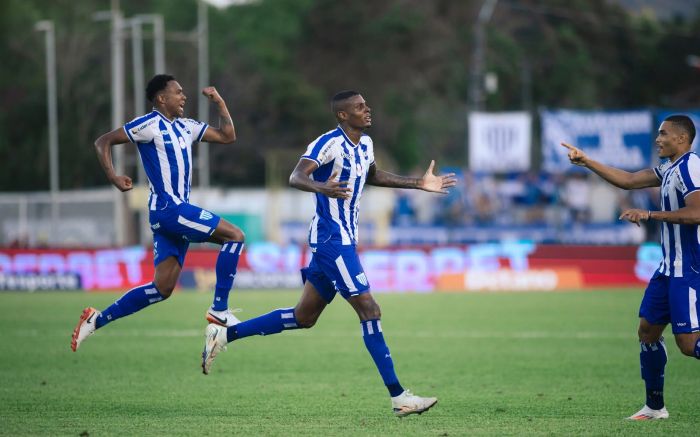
(47, 26)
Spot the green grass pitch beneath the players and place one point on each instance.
(501, 364)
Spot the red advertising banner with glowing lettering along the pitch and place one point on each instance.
(478, 267)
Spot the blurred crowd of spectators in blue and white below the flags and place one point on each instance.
(524, 199)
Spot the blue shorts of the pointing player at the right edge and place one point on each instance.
(672, 300)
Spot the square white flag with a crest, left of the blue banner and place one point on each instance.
(499, 141)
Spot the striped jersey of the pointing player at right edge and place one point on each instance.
(680, 244)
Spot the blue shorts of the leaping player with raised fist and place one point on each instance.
(175, 227)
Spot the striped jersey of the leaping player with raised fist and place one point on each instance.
(166, 152)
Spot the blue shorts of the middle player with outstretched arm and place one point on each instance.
(335, 268)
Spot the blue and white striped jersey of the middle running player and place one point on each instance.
(336, 219)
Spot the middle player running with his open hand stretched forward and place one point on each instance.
(335, 167)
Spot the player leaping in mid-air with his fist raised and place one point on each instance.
(164, 139)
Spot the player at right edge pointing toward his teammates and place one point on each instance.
(671, 296)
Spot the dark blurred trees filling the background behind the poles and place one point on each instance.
(278, 62)
